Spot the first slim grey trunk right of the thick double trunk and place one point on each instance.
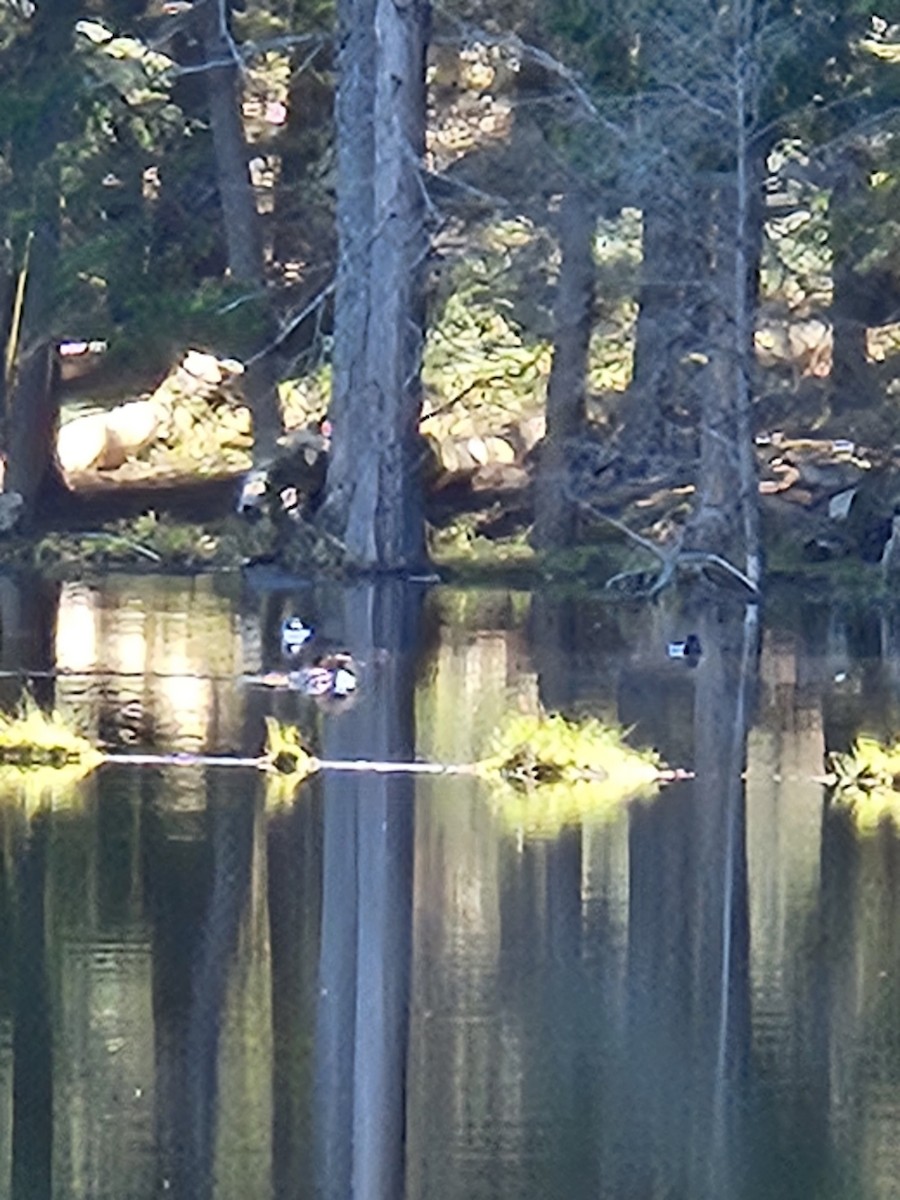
(554, 513)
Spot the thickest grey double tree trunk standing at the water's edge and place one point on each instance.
(376, 477)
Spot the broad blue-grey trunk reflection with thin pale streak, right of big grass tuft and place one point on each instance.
(689, 1005)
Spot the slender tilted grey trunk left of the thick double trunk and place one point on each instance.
(243, 224)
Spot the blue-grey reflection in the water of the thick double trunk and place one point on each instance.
(364, 1010)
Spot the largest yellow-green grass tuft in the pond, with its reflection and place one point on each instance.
(545, 772)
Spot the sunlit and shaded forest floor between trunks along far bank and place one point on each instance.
(170, 500)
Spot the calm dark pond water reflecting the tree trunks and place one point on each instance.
(394, 988)
